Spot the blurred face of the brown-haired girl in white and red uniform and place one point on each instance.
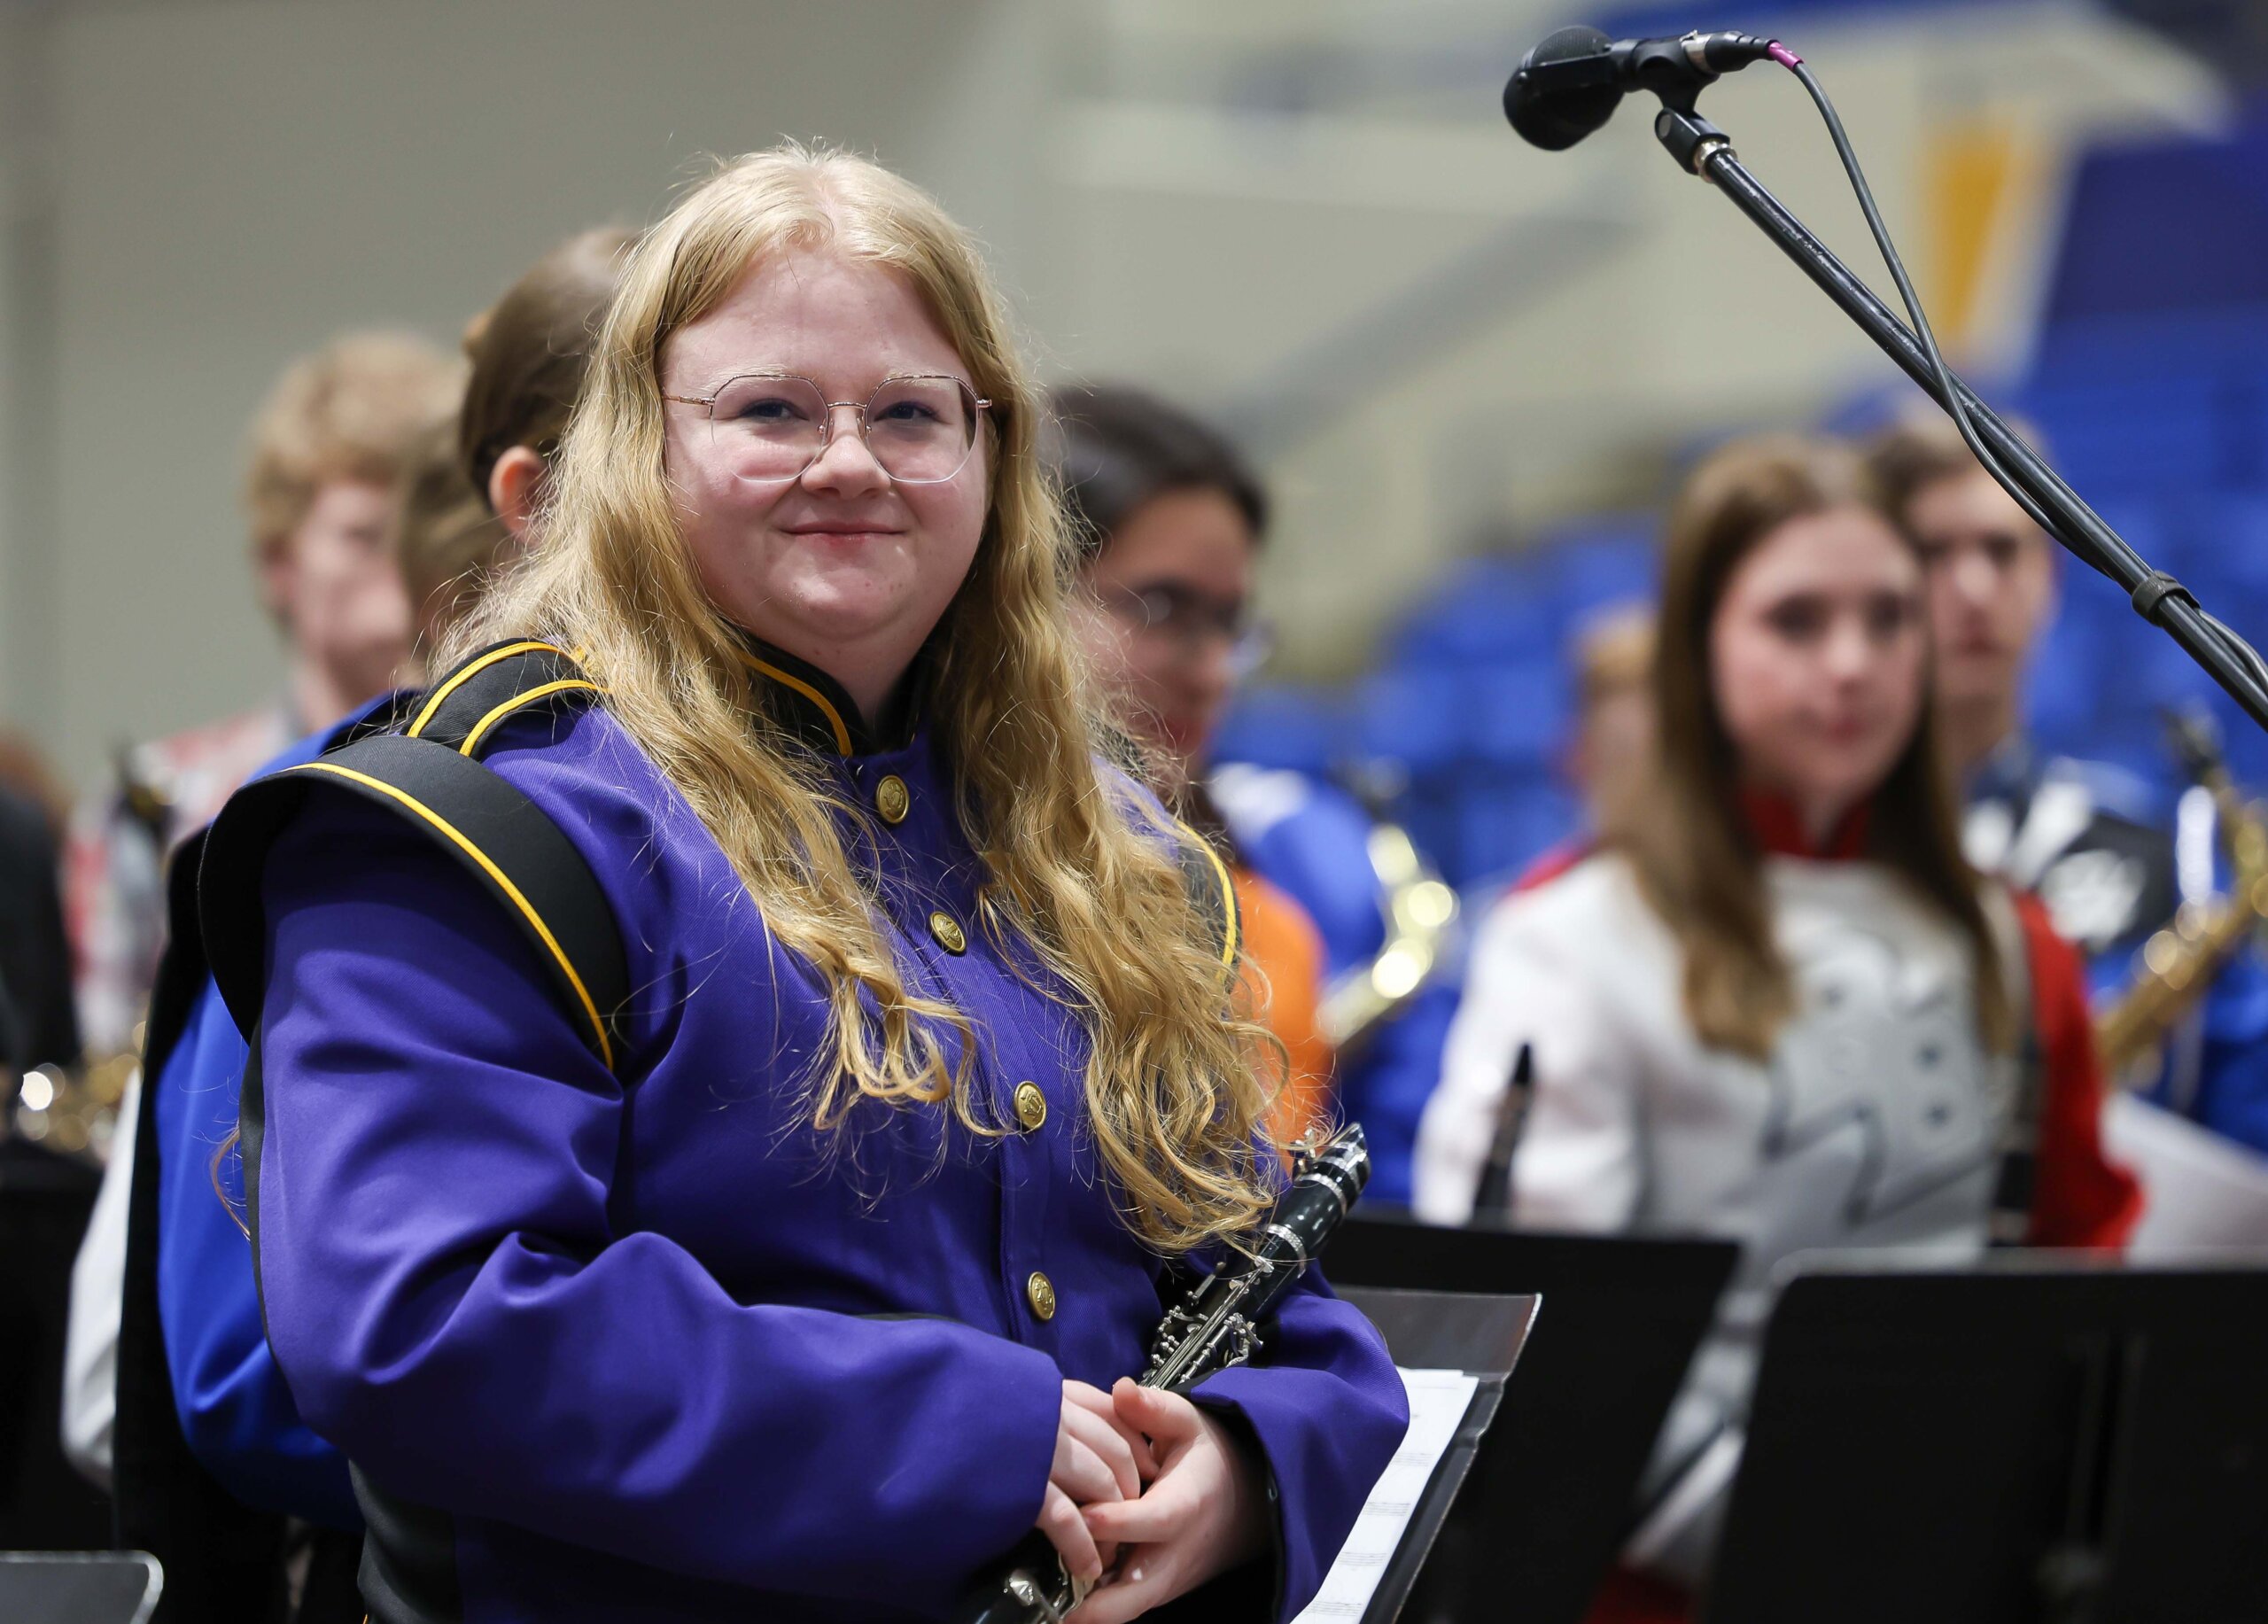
(1818, 659)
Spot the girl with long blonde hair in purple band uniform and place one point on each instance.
(811, 1278)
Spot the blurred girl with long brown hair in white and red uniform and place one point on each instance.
(1779, 1006)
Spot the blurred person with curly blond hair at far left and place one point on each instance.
(325, 455)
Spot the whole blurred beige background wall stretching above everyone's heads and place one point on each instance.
(1303, 217)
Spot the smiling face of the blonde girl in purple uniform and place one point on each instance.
(843, 566)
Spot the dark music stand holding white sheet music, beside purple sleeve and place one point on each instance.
(1430, 1330)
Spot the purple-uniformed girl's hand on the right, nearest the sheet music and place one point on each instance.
(1203, 1516)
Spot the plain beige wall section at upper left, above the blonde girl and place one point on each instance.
(235, 183)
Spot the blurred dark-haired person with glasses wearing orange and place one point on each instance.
(1171, 525)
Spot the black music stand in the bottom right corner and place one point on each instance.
(2036, 1439)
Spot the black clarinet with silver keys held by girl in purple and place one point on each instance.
(1215, 1328)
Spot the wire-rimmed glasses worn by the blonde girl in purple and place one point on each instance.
(775, 425)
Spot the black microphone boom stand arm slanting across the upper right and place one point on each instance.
(2158, 598)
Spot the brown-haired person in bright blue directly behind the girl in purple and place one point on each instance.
(464, 509)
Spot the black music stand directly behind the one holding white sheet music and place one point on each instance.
(1555, 1485)
